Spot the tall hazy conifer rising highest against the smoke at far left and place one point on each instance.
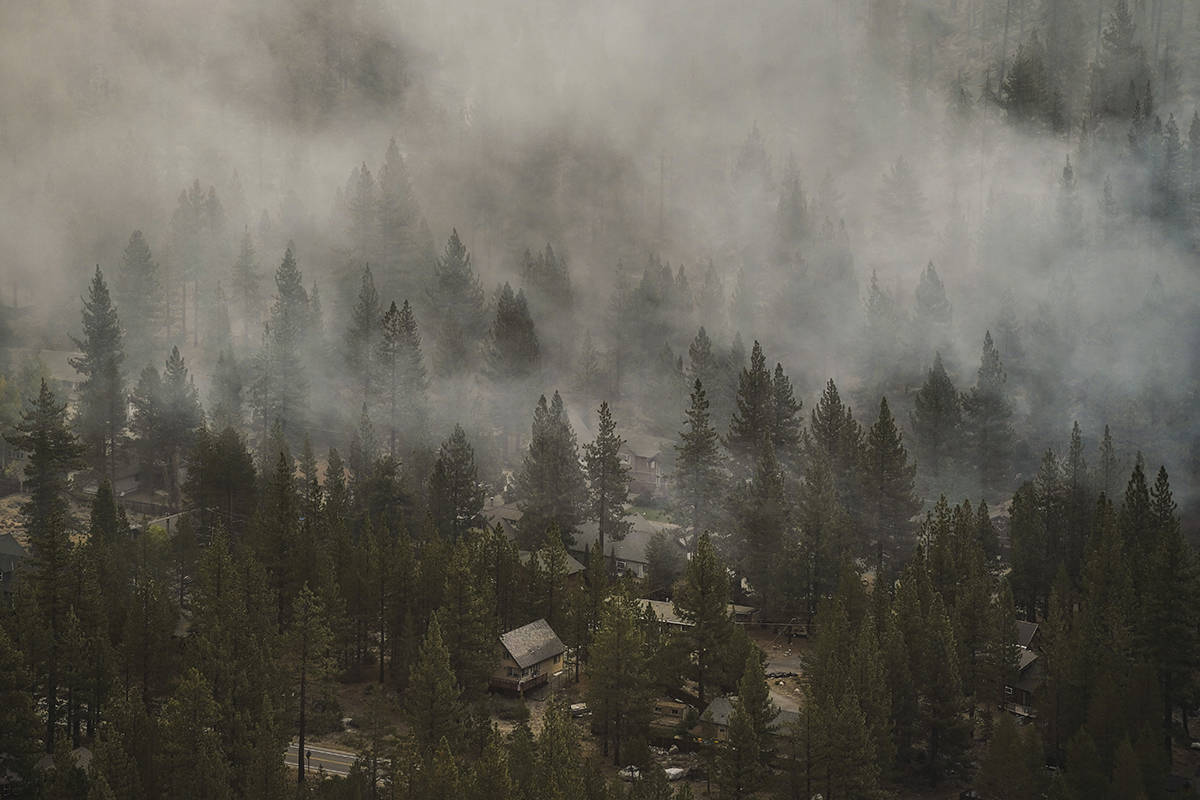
(103, 410)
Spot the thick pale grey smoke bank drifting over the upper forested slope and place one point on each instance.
(625, 131)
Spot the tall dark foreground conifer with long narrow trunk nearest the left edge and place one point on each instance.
(53, 452)
